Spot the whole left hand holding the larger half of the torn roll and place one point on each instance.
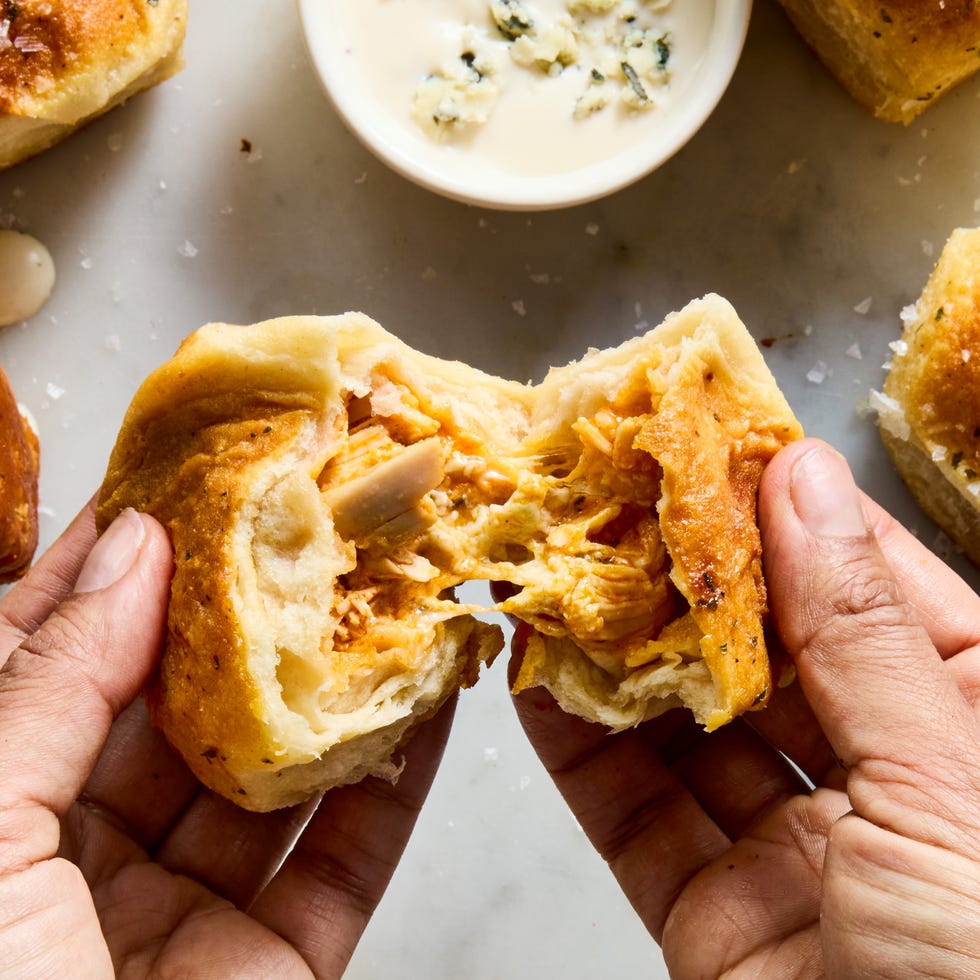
(113, 860)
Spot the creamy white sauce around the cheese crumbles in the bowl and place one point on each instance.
(389, 47)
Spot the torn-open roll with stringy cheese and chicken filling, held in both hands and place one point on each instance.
(326, 487)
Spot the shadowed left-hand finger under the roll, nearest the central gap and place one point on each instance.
(322, 898)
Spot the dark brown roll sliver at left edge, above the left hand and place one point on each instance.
(19, 464)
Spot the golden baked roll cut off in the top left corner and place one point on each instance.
(65, 62)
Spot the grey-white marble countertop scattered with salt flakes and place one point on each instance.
(817, 221)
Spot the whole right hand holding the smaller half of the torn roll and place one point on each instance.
(735, 864)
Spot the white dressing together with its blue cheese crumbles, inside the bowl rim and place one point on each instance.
(521, 87)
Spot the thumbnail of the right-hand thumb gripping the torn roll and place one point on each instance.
(825, 496)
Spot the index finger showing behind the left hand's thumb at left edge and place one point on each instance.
(35, 597)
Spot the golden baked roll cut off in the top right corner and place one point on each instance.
(896, 57)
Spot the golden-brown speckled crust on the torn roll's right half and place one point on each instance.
(713, 447)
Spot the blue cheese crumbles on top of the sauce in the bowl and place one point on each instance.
(621, 48)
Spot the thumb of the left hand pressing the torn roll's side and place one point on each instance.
(60, 689)
